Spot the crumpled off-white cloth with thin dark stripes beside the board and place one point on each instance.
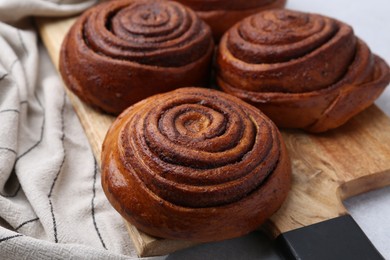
(51, 202)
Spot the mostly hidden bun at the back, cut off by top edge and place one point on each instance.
(223, 14)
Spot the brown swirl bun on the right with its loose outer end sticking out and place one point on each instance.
(302, 70)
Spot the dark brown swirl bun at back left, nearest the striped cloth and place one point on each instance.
(120, 52)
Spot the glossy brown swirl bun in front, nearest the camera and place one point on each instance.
(195, 164)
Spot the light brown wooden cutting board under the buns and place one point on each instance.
(327, 168)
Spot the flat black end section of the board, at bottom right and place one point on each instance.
(338, 238)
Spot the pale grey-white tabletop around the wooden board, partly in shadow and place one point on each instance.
(371, 22)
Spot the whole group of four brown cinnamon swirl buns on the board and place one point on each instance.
(182, 160)
